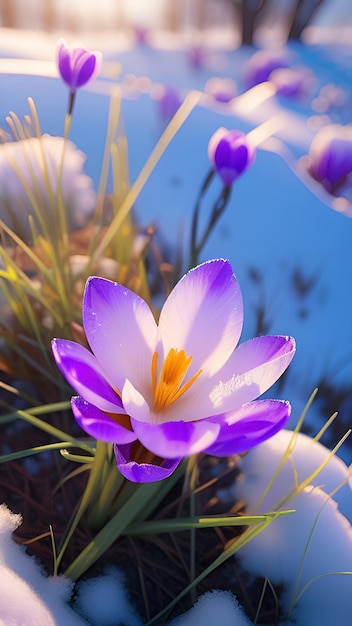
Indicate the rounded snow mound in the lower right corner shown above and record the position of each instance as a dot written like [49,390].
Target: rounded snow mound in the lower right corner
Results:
[315,541]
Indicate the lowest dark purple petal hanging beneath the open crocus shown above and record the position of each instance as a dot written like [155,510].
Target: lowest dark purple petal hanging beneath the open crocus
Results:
[142,472]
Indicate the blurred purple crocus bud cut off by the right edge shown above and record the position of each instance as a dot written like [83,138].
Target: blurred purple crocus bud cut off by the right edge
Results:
[330,157]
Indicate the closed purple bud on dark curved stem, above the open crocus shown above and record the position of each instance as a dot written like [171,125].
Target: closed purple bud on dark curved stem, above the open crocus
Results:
[230,153]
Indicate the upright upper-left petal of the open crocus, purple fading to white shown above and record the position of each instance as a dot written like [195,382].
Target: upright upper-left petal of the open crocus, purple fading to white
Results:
[121,331]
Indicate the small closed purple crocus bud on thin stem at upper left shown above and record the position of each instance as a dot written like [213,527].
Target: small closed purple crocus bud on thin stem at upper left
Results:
[76,66]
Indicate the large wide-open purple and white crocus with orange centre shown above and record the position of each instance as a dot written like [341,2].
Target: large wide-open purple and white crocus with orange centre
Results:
[161,392]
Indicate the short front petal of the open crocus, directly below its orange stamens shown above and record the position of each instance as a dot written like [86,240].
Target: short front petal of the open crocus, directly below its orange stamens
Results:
[176,439]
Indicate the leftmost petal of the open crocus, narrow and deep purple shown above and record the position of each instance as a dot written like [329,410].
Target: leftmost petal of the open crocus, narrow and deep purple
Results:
[85,375]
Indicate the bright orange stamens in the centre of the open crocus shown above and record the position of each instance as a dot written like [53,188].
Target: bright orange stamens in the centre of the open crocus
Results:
[169,387]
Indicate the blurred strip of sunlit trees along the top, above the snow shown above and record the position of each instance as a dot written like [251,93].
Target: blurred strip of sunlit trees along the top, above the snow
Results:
[246,19]
